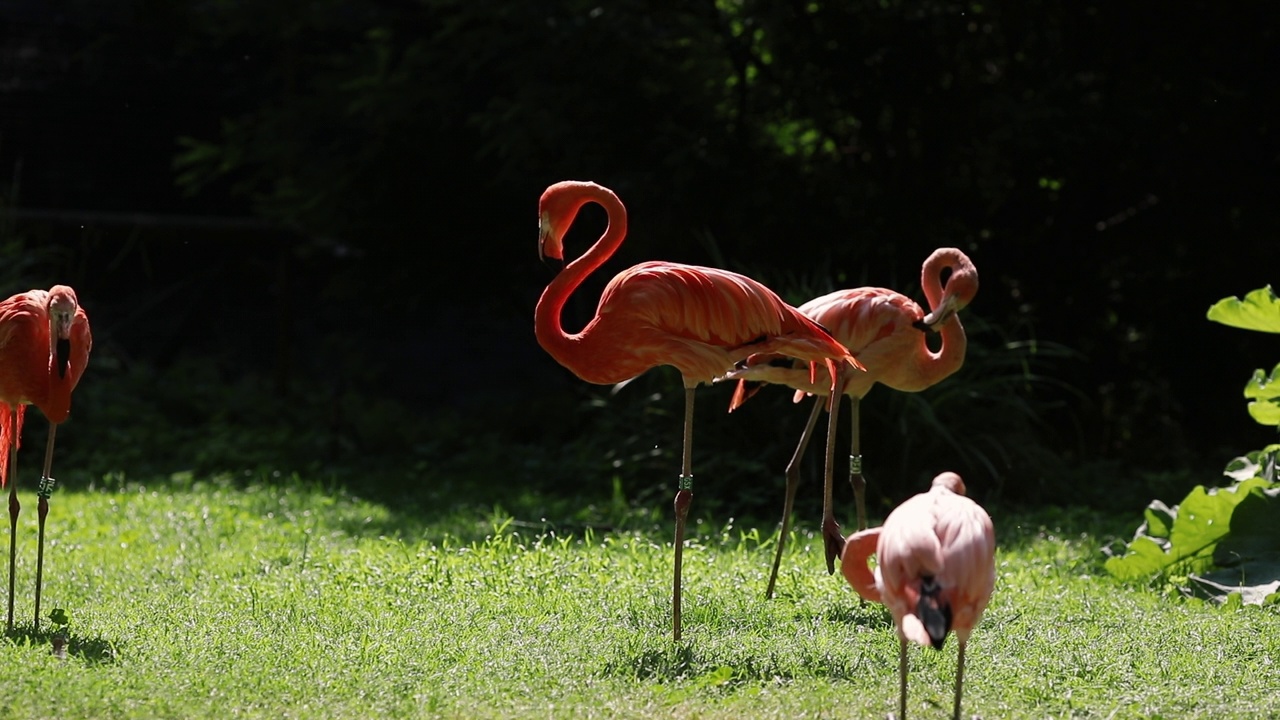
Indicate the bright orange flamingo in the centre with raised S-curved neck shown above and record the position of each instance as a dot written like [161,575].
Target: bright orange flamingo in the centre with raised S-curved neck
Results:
[702,321]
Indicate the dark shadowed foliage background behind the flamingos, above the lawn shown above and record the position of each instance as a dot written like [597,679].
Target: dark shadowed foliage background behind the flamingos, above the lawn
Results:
[305,231]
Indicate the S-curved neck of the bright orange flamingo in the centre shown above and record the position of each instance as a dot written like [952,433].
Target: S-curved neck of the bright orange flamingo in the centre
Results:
[547,316]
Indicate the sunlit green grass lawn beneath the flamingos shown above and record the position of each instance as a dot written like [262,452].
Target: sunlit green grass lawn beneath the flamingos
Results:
[208,600]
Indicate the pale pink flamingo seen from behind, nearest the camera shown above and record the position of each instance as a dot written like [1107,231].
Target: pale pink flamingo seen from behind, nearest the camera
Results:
[936,569]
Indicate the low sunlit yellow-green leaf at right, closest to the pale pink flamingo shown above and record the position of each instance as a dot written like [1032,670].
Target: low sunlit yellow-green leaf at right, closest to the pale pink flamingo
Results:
[1200,523]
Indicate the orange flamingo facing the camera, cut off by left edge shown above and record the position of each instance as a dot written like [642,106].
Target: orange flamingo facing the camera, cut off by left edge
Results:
[44,348]
